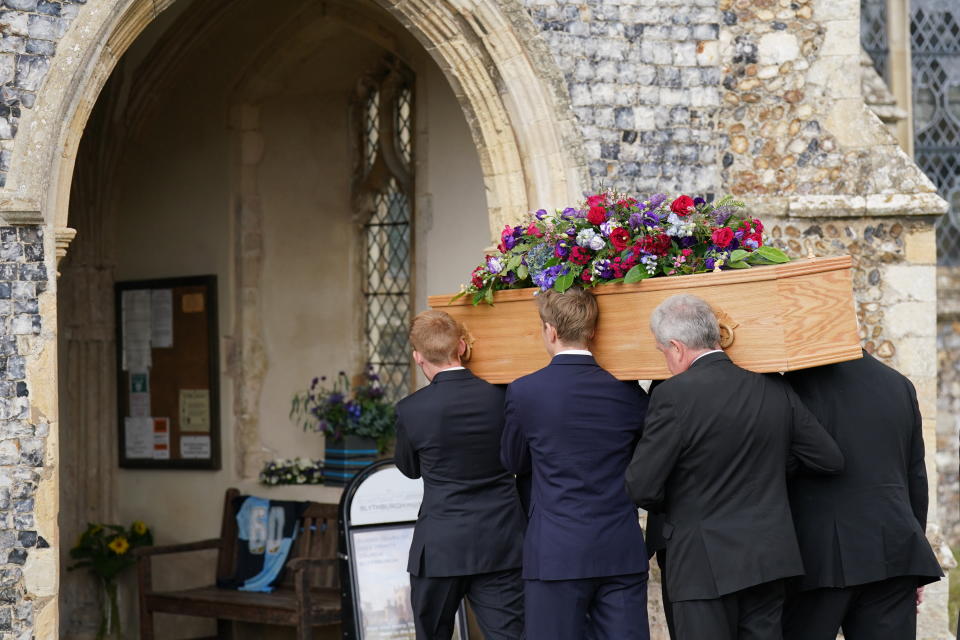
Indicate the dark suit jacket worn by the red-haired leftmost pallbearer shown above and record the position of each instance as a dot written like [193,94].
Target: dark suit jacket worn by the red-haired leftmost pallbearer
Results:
[470,519]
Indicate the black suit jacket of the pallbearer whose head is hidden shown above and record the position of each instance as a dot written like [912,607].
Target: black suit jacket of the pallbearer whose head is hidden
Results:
[867,524]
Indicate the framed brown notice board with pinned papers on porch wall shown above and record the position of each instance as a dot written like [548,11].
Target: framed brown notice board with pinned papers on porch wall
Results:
[168,394]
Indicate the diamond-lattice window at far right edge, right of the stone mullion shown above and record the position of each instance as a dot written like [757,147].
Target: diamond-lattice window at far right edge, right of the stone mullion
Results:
[935,48]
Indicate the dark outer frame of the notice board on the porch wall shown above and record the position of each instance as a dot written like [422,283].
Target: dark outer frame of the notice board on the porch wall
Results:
[209,282]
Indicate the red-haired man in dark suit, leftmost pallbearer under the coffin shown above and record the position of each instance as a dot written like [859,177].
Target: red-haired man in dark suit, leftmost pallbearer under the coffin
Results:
[469,534]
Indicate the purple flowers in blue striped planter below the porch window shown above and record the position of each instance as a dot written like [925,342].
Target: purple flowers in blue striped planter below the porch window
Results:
[356,420]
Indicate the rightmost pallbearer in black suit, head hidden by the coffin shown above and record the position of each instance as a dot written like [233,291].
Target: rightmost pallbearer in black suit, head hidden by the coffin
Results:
[862,534]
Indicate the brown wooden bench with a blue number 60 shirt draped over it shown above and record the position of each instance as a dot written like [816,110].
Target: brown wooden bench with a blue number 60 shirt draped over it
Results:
[309,595]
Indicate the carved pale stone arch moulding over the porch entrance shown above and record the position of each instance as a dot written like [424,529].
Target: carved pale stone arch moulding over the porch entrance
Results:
[501,73]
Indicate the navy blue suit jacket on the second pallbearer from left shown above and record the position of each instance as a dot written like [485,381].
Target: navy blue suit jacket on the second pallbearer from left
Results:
[573,426]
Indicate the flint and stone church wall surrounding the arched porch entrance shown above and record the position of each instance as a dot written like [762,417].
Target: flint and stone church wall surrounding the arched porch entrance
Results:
[750,96]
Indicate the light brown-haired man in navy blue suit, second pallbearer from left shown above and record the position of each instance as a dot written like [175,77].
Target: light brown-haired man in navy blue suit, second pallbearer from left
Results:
[573,426]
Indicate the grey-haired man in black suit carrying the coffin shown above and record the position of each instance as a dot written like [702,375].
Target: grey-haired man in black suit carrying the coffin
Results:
[713,460]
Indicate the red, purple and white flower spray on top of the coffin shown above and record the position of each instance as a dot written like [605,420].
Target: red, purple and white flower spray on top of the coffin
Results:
[619,238]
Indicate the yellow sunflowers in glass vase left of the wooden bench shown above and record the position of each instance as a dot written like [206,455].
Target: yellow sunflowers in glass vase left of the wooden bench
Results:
[105,549]
